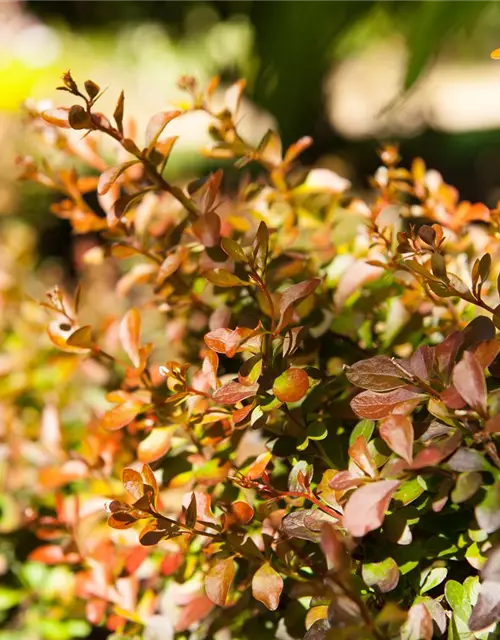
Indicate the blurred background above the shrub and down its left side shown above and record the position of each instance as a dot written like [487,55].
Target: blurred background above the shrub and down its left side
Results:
[351,73]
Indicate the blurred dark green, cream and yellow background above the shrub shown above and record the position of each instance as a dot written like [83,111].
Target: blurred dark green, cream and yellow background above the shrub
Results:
[351,73]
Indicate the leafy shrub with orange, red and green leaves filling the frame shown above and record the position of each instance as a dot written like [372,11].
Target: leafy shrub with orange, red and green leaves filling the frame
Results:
[302,390]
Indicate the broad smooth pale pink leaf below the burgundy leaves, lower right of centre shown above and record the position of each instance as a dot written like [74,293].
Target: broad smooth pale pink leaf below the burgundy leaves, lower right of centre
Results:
[365,509]
